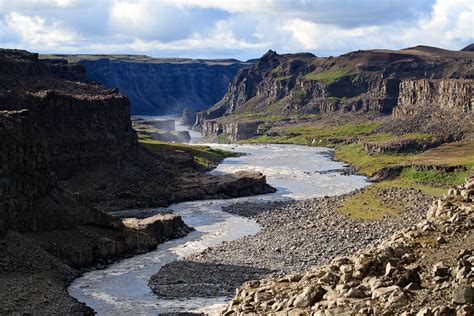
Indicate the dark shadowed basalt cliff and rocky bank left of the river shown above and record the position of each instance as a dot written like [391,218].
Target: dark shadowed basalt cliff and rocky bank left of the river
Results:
[69,154]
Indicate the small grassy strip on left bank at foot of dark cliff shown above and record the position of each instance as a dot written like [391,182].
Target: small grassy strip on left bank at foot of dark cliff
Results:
[205,156]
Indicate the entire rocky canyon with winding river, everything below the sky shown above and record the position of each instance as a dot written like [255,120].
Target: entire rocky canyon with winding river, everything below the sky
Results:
[81,186]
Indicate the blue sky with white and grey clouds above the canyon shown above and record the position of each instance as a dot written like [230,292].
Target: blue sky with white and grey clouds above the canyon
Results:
[241,29]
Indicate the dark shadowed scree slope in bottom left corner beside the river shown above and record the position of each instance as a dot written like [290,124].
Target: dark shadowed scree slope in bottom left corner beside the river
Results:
[34,281]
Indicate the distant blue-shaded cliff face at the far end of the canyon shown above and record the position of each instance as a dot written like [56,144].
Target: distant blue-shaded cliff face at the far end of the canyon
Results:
[159,86]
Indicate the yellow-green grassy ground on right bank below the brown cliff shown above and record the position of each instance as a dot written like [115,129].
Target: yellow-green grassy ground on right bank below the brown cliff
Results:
[367,204]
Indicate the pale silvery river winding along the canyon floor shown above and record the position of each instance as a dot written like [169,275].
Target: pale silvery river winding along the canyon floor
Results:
[297,172]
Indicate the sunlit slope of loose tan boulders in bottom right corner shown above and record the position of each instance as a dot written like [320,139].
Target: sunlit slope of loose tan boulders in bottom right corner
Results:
[424,269]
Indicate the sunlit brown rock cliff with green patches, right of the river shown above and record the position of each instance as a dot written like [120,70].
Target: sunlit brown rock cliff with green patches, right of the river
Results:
[414,82]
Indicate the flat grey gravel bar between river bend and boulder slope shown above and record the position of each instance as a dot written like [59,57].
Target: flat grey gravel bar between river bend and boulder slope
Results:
[295,236]
